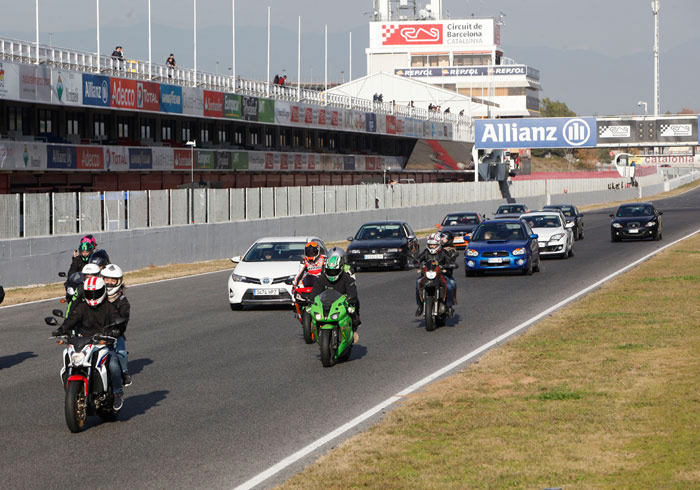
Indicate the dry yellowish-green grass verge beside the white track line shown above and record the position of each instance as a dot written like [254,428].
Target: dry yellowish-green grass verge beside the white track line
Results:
[603,394]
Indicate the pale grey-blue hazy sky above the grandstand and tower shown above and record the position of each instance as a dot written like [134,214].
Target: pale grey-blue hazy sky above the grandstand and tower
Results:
[616,31]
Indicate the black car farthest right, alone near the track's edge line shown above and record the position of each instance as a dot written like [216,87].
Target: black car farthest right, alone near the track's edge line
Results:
[636,220]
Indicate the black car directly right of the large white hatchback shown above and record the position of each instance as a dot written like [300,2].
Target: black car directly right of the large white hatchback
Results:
[382,244]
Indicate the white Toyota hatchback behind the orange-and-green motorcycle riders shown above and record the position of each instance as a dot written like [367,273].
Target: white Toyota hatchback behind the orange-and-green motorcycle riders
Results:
[265,272]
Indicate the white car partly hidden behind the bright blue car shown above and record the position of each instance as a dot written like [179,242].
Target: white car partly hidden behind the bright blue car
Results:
[555,236]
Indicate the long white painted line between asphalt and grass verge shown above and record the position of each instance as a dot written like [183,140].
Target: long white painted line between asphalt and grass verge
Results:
[258,479]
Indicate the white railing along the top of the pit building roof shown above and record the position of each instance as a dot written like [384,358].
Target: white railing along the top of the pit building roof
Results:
[83,61]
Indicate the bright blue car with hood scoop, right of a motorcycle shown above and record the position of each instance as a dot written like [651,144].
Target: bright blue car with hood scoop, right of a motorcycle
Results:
[502,245]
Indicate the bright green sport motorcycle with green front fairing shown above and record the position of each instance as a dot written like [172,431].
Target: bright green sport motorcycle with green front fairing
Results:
[332,325]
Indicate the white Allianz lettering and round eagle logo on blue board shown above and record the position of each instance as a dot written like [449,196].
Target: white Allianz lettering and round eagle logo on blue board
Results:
[575,132]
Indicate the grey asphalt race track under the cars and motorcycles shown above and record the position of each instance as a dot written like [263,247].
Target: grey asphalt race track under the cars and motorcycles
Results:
[220,396]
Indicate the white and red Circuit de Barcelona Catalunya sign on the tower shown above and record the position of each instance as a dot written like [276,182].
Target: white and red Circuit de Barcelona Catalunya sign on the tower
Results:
[454,33]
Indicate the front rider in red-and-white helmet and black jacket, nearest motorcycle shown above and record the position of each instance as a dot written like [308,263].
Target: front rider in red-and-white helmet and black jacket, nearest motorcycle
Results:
[96,316]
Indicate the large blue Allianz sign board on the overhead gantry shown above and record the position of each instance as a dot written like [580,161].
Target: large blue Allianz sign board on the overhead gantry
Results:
[555,132]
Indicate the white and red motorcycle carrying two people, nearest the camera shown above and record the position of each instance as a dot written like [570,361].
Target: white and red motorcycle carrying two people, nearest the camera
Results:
[85,376]
